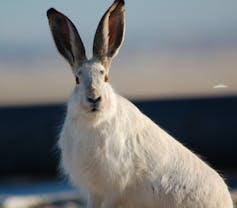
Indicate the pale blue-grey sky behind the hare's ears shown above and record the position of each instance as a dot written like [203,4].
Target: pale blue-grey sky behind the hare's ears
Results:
[154,23]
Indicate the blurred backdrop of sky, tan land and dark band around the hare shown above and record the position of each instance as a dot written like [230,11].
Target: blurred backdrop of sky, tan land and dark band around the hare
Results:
[178,64]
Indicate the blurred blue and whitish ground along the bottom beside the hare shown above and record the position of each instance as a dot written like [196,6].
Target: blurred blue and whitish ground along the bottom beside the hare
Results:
[53,193]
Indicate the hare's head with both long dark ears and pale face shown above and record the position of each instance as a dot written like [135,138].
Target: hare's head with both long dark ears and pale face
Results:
[92,91]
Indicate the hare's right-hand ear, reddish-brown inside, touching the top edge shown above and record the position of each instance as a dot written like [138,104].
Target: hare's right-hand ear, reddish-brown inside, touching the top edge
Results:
[110,33]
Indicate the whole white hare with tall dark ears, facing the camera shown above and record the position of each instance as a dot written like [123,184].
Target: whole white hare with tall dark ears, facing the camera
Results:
[112,150]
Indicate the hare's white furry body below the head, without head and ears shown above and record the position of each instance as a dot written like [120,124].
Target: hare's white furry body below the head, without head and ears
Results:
[125,158]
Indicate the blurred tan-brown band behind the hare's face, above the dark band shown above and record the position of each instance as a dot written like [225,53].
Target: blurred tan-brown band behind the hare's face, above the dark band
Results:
[158,74]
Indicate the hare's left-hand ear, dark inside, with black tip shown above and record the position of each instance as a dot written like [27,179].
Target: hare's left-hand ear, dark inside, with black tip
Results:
[66,38]
